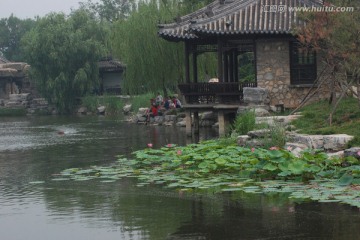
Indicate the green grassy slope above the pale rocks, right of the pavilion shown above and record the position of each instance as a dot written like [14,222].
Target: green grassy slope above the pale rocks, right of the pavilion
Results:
[346,119]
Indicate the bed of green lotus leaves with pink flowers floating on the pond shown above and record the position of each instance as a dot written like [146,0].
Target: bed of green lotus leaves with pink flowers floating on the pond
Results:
[223,168]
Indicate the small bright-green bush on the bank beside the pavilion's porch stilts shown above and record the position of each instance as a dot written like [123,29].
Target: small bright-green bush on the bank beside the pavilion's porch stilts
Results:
[244,123]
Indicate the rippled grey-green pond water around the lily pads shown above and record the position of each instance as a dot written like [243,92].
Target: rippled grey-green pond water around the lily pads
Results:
[34,207]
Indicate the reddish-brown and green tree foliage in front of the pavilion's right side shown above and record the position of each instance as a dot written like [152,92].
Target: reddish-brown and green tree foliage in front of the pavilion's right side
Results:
[336,37]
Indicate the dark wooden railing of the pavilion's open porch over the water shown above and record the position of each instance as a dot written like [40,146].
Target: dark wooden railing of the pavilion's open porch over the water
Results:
[207,93]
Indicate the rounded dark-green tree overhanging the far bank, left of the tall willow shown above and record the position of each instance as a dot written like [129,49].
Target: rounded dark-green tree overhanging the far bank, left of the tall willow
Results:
[63,54]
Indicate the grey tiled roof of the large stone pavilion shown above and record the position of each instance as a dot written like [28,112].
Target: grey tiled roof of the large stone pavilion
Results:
[238,17]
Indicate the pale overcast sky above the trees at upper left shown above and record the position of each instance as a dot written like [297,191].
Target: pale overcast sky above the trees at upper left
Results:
[31,8]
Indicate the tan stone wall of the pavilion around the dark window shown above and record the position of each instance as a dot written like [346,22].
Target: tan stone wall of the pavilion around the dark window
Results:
[273,73]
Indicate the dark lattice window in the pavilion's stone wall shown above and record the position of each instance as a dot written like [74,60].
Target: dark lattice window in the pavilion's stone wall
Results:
[302,64]
